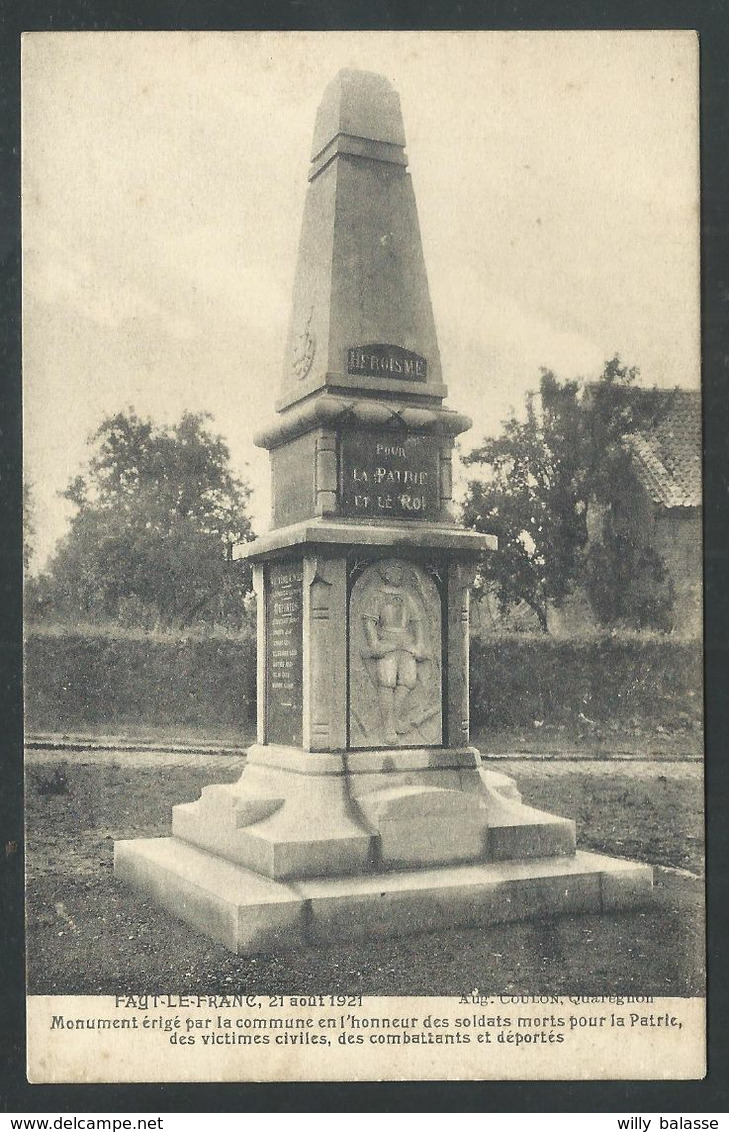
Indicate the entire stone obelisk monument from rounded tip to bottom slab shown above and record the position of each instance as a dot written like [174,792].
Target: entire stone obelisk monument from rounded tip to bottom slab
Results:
[364,810]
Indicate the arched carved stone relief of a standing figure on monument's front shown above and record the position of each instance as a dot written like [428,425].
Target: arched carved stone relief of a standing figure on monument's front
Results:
[396,657]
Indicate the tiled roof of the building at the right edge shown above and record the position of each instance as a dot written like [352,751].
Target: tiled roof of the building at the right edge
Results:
[667,452]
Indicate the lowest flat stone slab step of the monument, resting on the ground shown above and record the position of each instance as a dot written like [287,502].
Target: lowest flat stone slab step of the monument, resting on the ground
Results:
[251,914]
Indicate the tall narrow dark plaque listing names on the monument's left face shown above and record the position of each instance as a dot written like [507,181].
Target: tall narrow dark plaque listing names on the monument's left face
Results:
[285,647]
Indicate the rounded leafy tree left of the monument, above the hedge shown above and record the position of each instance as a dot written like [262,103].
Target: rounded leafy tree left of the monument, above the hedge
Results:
[158,513]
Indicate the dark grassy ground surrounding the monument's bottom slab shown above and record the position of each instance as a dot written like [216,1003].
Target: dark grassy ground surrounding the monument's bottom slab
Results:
[89,936]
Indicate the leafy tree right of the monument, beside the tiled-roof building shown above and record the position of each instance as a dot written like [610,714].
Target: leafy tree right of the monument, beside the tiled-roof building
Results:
[543,477]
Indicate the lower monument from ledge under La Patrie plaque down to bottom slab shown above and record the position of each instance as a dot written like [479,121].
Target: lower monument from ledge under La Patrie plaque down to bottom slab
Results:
[324,841]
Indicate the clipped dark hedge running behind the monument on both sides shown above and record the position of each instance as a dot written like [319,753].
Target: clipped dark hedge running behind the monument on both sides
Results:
[76,681]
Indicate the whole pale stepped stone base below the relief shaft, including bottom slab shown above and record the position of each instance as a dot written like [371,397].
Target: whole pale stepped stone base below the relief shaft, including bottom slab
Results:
[314,850]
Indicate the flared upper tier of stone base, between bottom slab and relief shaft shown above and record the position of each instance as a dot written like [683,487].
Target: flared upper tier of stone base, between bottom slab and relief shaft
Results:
[295,814]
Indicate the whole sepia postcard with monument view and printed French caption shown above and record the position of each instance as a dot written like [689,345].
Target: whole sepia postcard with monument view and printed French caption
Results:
[363,528]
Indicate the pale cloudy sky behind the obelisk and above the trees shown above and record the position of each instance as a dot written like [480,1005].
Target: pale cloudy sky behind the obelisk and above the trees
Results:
[165,176]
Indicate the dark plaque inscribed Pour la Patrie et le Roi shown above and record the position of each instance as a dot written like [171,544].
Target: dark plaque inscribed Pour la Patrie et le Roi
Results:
[390,476]
